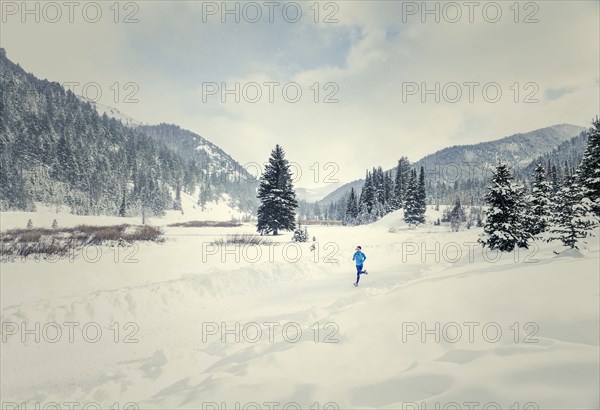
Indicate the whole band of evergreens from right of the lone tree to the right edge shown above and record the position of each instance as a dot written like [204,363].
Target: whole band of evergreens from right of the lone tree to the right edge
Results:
[550,199]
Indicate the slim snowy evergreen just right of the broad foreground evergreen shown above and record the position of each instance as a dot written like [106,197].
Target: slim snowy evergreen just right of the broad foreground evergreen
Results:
[540,204]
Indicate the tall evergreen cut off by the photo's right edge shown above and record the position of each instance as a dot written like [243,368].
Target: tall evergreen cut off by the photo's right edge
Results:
[589,169]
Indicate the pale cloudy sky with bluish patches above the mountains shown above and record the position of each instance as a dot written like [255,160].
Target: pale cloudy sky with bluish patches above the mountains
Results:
[369,72]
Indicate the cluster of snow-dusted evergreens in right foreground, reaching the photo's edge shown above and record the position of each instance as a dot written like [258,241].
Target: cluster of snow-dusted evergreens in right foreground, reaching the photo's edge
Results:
[564,210]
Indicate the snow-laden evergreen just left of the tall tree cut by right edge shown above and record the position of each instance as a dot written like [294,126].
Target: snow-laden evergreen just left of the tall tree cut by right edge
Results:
[573,214]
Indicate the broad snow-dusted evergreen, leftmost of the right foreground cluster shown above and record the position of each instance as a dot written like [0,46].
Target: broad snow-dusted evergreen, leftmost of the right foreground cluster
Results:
[505,225]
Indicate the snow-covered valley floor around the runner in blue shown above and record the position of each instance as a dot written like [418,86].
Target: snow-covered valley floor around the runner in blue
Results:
[185,324]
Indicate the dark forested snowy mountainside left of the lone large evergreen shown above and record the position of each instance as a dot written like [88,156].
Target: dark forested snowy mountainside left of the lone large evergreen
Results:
[57,149]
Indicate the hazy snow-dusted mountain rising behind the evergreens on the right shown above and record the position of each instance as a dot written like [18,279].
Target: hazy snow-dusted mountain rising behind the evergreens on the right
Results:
[461,168]
